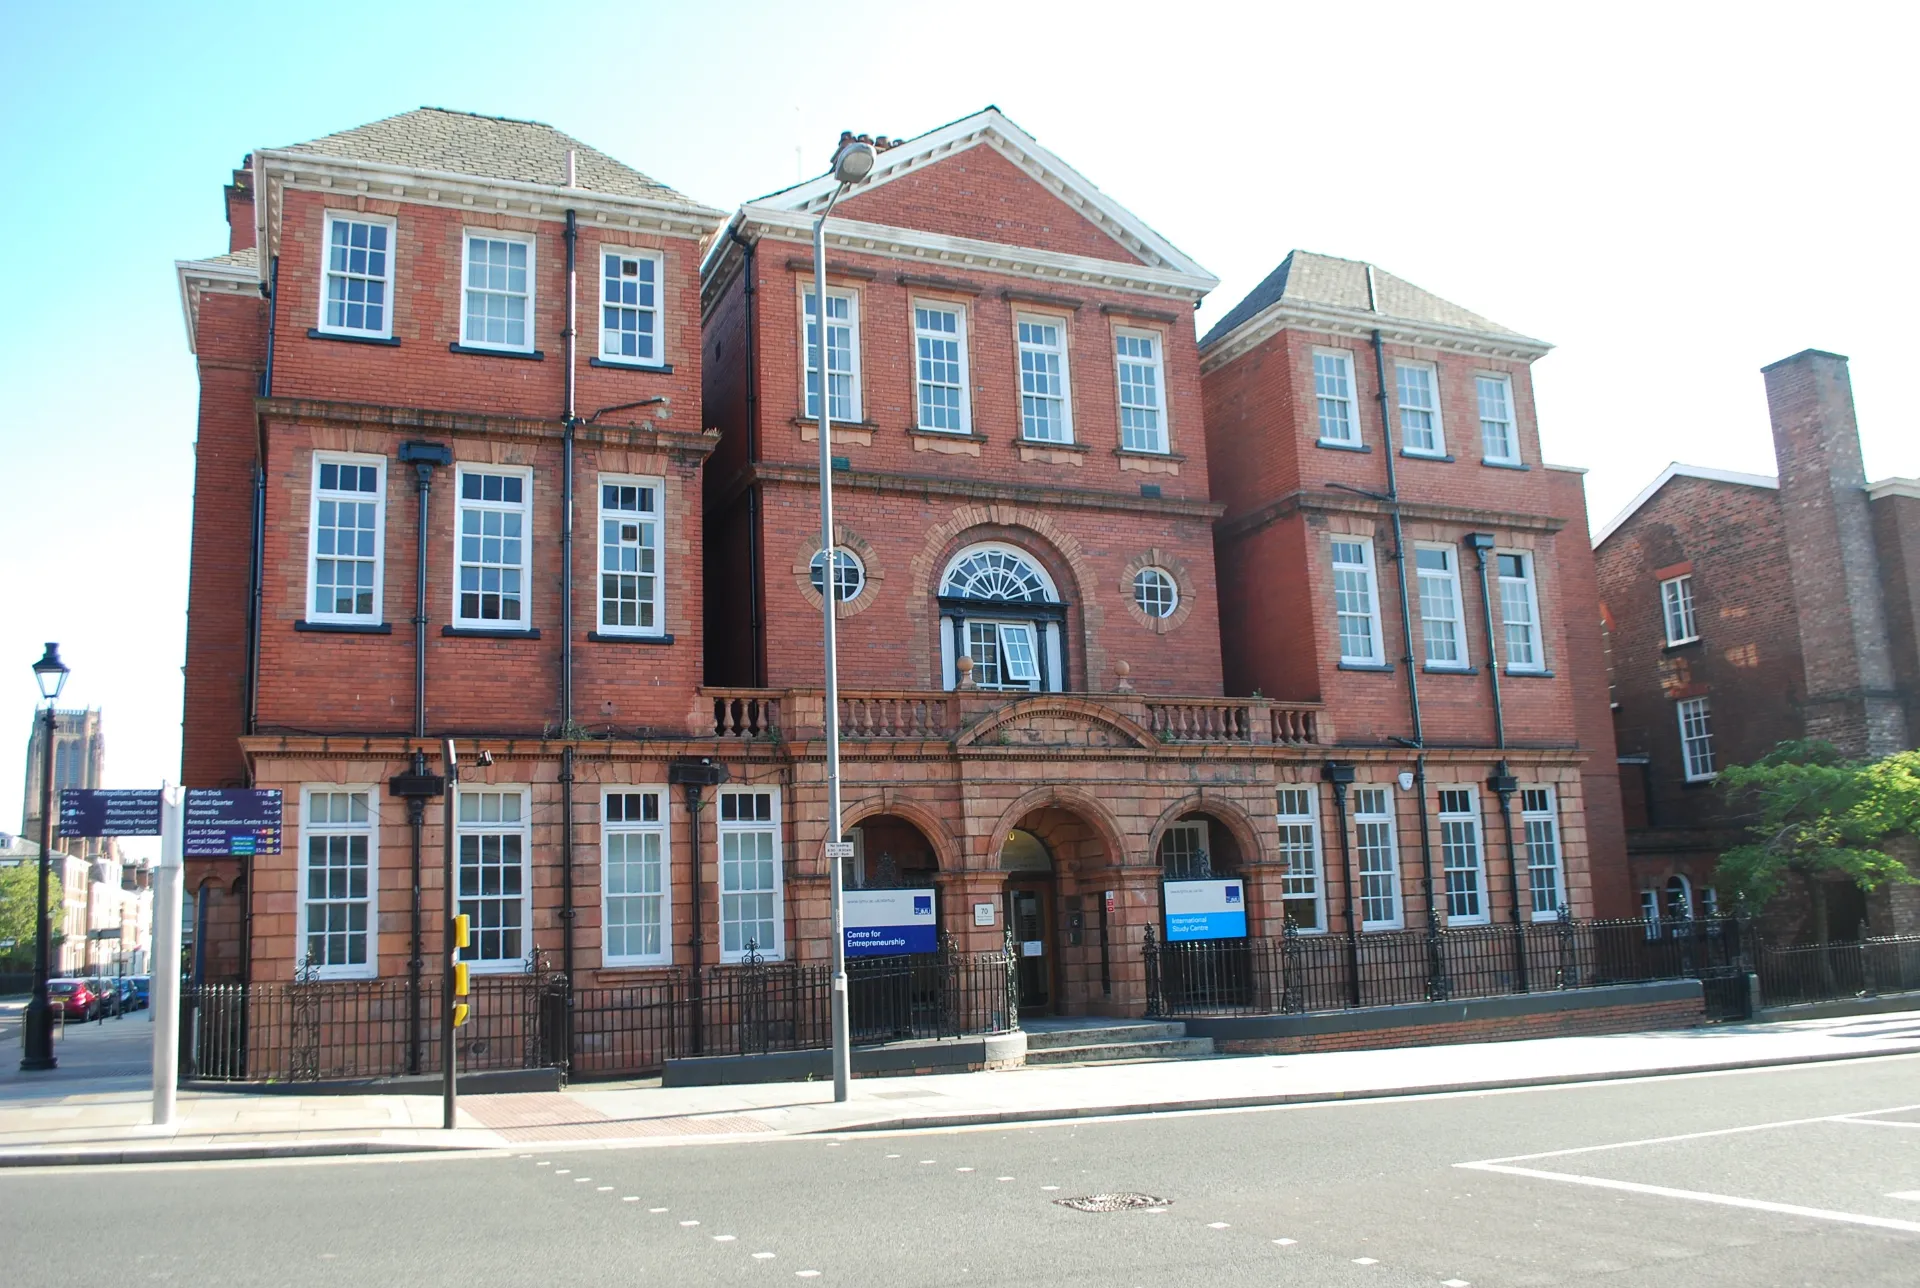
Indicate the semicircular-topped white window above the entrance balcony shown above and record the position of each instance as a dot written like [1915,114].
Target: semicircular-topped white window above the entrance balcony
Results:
[1001,609]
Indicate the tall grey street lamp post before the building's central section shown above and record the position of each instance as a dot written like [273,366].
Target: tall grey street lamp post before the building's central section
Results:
[852,164]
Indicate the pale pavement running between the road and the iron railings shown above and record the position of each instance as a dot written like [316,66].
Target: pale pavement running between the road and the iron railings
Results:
[76,1116]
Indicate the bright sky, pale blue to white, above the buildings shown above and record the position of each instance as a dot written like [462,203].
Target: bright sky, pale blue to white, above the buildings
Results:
[1671,195]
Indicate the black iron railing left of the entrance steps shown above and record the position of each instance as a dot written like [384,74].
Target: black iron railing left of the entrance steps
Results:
[358,1030]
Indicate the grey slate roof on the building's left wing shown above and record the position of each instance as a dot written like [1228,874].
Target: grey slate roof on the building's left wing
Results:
[464,143]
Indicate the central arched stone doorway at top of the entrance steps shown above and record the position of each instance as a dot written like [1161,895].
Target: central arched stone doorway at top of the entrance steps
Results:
[1059,871]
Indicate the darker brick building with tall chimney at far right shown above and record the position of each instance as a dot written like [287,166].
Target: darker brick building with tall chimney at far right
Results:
[1744,611]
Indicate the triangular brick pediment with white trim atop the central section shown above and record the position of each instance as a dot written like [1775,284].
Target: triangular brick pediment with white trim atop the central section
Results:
[1024,197]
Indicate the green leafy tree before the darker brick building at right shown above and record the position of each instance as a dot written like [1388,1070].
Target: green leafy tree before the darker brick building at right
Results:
[1819,817]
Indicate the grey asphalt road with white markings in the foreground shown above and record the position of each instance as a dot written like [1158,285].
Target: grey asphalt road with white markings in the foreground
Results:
[1806,1176]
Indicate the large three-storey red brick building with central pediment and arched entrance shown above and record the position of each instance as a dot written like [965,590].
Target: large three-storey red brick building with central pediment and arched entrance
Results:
[1044,538]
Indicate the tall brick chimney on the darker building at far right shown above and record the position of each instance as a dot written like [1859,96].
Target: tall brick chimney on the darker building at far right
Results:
[1831,552]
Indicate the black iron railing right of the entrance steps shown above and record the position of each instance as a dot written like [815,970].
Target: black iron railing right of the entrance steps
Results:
[1299,974]
